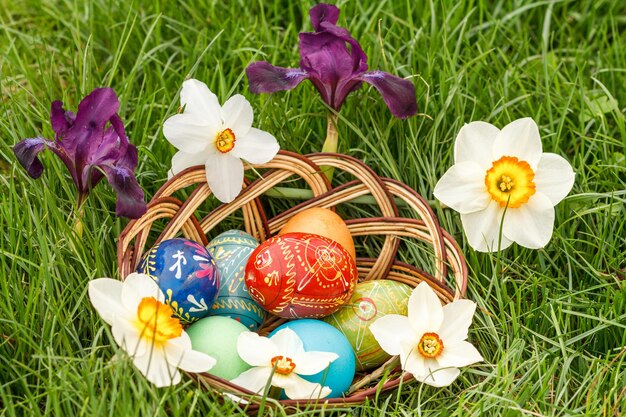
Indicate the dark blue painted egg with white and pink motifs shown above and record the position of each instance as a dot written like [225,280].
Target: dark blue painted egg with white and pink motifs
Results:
[187,275]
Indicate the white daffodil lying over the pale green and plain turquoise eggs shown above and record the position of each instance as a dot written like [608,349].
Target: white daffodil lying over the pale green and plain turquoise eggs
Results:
[283,358]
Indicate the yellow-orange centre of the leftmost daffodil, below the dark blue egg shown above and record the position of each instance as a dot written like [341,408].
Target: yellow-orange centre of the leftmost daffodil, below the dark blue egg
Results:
[155,321]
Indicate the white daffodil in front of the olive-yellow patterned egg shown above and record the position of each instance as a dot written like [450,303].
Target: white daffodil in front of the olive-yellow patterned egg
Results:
[431,341]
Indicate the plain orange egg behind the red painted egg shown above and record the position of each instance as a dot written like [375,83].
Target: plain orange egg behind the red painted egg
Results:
[323,222]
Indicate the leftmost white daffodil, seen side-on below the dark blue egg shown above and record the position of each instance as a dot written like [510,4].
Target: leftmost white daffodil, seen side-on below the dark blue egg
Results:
[142,325]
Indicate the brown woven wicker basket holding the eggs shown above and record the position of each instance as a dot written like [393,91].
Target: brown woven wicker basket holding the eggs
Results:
[448,263]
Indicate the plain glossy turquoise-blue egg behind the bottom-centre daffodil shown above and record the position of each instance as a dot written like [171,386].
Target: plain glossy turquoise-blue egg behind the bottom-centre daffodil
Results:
[320,336]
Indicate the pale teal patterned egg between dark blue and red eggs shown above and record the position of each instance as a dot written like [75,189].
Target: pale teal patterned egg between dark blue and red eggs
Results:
[231,251]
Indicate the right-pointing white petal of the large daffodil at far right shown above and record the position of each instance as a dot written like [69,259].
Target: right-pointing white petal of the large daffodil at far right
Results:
[554,177]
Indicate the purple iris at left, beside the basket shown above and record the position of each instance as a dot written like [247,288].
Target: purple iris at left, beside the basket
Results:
[92,144]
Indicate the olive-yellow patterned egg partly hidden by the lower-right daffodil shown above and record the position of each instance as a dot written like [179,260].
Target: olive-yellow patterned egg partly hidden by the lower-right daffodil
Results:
[370,301]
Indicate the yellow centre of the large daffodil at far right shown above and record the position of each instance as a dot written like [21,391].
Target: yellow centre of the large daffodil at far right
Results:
[510,181]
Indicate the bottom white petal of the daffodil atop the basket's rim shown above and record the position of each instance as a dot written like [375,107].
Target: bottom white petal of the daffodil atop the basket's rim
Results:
[224,173]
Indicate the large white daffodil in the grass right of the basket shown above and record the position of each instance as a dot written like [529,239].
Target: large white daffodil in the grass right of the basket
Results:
[503,169]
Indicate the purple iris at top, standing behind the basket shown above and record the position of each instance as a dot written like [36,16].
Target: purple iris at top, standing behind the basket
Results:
[336,65]
